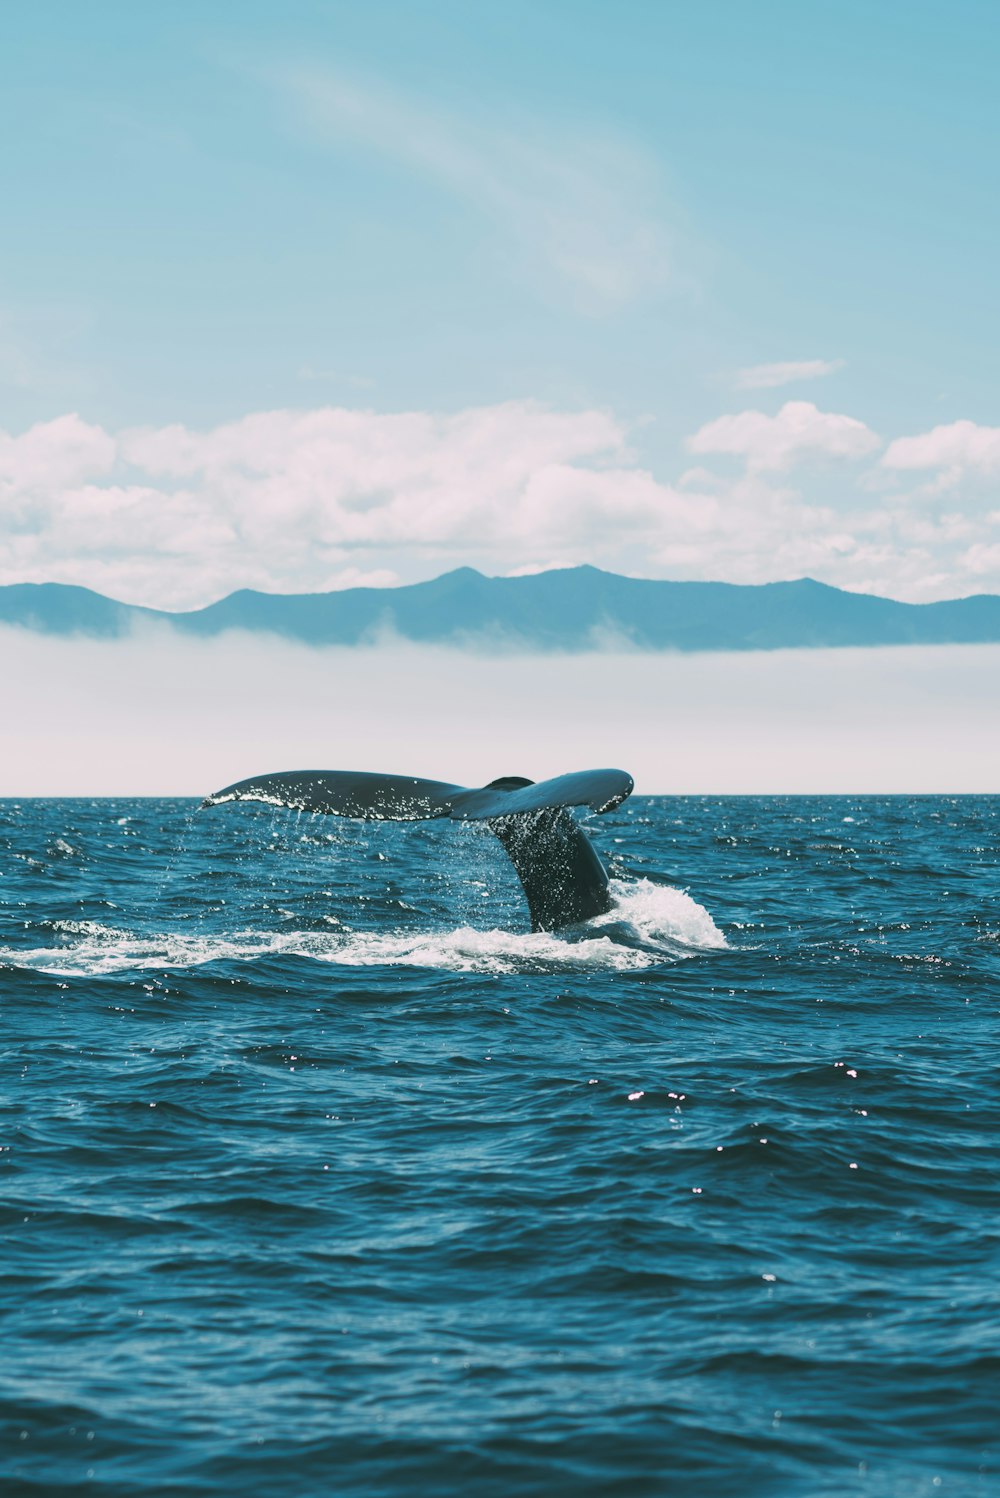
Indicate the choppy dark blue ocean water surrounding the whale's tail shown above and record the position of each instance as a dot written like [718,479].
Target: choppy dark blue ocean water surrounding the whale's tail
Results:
[320,1175]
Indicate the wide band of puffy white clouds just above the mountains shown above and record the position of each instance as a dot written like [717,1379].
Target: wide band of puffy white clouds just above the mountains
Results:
[293,501]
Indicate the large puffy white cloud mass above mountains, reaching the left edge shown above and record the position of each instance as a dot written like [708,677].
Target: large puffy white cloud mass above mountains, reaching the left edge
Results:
[315,500]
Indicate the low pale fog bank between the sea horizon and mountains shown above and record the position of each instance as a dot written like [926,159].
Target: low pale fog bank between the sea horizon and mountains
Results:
[162,715]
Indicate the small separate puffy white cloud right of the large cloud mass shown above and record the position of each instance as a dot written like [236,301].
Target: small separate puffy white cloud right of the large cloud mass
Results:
[776,443]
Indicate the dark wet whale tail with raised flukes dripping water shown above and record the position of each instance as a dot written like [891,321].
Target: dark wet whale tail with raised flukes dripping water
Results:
[564,880]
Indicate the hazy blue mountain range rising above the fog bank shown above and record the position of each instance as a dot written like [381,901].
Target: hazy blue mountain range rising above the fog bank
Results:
[574,609]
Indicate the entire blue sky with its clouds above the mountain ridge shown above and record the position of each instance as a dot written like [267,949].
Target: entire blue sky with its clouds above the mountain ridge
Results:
[305,294]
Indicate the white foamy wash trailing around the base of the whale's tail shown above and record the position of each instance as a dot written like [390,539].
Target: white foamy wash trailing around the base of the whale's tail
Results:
[647,925]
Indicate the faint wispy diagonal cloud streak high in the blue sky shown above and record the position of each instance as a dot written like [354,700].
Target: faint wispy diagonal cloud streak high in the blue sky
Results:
[580,206]
